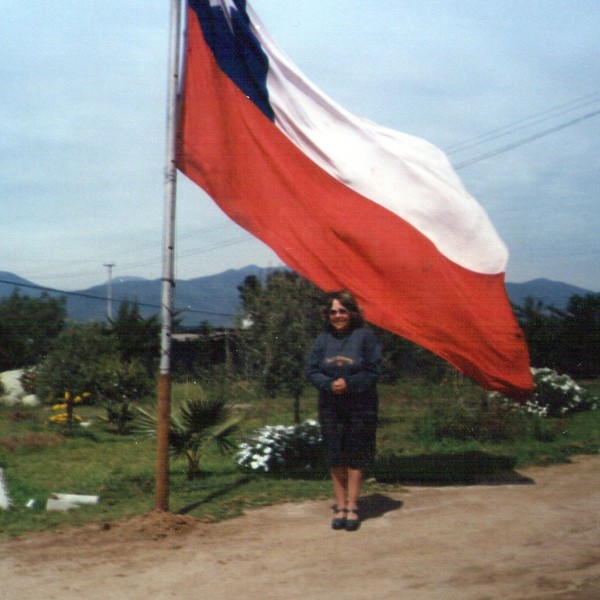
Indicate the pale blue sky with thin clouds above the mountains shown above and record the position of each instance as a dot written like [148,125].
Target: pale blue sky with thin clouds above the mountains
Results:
[510,89]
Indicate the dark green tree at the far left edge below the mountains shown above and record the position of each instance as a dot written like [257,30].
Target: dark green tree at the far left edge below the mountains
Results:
[27,328]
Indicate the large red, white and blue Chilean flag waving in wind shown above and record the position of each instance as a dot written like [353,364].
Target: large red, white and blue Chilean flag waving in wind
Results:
[343,201]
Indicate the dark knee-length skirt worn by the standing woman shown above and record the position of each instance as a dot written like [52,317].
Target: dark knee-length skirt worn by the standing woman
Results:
[349,429]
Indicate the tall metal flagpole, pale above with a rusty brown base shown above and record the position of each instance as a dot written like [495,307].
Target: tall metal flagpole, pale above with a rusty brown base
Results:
[168,273]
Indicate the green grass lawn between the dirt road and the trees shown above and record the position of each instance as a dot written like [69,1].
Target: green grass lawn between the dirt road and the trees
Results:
[121,469]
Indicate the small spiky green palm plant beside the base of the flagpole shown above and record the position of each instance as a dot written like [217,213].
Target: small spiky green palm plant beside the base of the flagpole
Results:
[195,426]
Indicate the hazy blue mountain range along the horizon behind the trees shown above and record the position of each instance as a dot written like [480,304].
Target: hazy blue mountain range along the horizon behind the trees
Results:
[215,298]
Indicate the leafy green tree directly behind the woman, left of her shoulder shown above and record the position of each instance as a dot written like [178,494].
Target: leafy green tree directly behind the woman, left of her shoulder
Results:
[285,317]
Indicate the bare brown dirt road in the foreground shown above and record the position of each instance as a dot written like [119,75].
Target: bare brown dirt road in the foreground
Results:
[529,541]
